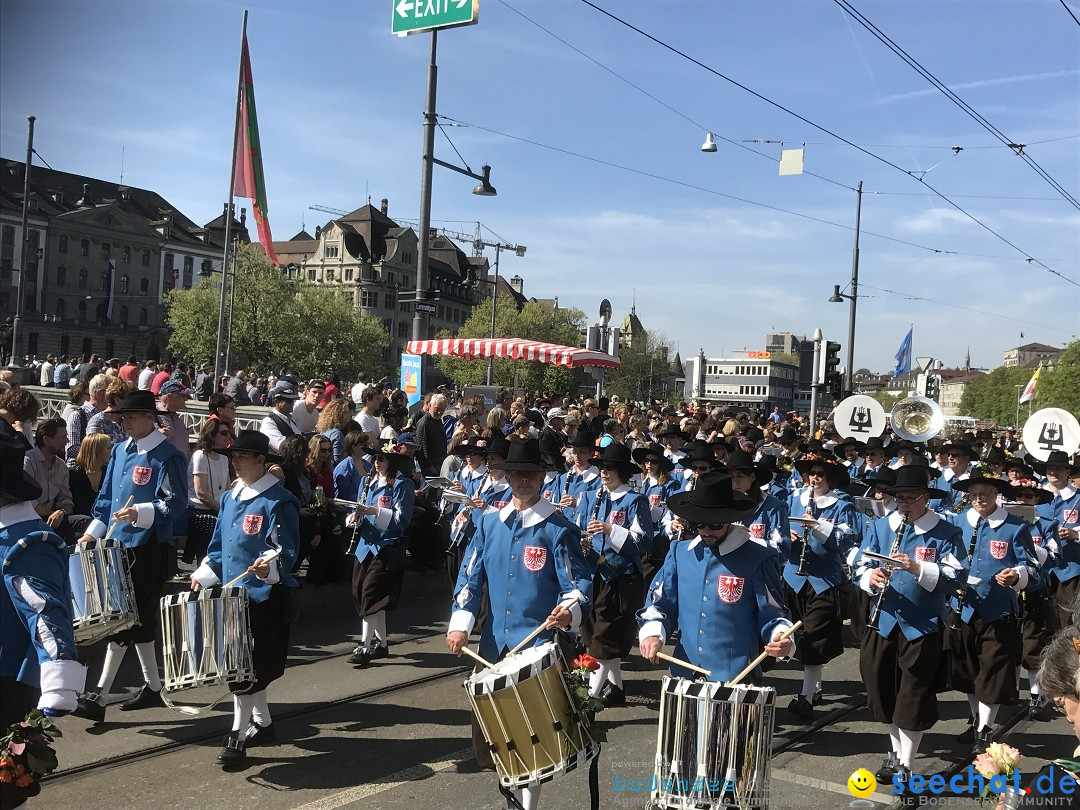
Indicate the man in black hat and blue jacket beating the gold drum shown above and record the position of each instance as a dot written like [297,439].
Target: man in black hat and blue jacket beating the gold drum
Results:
[531,559]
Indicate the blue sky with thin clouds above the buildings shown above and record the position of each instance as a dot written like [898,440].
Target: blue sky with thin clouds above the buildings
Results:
[341,103]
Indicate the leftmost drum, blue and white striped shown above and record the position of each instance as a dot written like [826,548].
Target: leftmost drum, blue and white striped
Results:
[103,599]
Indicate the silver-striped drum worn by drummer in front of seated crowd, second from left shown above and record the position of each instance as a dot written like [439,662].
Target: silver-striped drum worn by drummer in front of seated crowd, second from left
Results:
[207,642]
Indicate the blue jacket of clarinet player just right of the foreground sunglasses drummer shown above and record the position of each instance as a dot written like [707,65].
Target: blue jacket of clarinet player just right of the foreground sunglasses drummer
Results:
[838,531]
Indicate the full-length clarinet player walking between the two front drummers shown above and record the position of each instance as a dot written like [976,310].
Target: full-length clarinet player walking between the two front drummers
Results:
[618,526]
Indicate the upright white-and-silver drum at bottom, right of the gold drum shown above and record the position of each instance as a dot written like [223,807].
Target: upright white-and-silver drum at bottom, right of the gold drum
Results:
[713,747]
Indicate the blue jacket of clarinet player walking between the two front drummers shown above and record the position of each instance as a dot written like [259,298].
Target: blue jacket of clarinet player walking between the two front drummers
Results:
[624,551]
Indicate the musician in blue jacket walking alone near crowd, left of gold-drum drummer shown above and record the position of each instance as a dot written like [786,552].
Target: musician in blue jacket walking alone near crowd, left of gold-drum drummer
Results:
[379,571]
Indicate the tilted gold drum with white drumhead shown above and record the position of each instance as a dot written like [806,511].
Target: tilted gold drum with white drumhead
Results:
[533,727]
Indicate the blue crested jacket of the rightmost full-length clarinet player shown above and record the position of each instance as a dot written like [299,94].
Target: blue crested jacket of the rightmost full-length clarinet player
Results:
[1004,543]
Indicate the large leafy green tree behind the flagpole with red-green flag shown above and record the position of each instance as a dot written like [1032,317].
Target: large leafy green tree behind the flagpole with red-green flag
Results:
[277,323]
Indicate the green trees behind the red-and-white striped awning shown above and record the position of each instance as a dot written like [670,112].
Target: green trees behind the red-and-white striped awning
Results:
[537,321]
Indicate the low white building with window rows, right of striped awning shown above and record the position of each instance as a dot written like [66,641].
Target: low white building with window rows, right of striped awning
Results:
[741,381]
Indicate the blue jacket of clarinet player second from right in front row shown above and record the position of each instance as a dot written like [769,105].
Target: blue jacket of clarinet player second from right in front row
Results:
[915,603]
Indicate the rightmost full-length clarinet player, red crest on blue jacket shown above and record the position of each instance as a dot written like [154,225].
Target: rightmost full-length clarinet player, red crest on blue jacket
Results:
[984,638]
